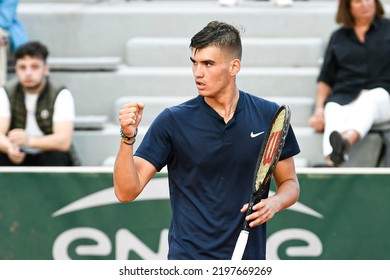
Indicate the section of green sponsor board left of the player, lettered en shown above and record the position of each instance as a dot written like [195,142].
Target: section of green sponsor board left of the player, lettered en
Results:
[75,215]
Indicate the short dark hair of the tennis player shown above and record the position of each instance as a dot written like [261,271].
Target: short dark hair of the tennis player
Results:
[218,34]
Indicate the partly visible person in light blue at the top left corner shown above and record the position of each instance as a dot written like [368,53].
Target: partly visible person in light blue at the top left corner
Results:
[12,34]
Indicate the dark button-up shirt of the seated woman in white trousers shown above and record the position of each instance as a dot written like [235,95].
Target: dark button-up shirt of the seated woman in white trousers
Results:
[351,66]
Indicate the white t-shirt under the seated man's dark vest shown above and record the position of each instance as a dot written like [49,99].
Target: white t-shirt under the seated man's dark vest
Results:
[64,110]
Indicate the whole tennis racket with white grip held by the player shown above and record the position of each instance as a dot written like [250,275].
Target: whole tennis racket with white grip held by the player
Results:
[269,155]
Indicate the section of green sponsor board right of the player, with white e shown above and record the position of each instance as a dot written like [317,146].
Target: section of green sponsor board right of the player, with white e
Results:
[353,223]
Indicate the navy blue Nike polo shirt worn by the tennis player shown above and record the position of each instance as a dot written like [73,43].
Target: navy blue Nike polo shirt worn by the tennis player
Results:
[211,166]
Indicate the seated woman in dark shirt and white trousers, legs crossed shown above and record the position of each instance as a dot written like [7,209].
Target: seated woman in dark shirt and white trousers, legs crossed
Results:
[354,83]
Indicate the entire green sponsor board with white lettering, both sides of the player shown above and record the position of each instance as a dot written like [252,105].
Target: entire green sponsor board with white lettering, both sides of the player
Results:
[62,213]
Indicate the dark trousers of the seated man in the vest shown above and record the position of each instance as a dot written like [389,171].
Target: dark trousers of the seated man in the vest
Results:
[52,158]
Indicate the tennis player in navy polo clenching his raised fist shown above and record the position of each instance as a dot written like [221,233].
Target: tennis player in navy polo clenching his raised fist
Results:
[210,145]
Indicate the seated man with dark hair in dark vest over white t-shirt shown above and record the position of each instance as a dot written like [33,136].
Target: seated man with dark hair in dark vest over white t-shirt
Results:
[36,116]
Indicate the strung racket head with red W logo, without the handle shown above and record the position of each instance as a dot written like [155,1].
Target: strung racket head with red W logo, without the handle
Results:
[271,150]
